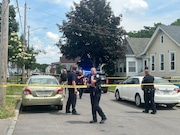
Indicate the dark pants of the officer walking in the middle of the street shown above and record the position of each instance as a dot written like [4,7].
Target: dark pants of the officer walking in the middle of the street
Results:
[95,98]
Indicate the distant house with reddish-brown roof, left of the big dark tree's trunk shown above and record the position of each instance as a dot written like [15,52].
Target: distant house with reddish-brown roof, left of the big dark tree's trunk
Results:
[67,63]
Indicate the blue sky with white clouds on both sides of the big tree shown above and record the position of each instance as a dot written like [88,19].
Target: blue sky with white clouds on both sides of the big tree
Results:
[48,13]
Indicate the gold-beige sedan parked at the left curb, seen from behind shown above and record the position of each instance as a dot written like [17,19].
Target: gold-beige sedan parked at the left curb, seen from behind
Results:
[42,90]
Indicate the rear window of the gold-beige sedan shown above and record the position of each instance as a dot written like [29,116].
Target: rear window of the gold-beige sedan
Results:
[43,81]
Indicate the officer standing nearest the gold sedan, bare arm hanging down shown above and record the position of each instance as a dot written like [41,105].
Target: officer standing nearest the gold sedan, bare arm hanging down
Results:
[72,97]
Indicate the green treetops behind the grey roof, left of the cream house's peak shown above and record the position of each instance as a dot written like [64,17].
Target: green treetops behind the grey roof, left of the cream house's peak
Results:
[147,32]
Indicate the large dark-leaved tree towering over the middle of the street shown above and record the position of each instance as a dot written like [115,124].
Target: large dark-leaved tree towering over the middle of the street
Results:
[92,32]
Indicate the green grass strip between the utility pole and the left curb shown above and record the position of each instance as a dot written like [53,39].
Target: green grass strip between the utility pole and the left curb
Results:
[13,95]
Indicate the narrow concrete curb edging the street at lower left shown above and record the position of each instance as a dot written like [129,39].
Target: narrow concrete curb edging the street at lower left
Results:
[14,121]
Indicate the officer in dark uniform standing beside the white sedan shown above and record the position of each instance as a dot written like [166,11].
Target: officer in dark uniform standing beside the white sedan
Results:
[149,91]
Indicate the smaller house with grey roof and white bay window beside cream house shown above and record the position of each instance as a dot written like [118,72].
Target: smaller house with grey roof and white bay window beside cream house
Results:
[132,63]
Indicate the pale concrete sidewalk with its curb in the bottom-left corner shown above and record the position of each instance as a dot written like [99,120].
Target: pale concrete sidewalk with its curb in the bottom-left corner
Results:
[7,125]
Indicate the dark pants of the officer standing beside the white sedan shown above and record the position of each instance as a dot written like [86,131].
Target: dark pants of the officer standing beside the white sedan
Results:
[149,100]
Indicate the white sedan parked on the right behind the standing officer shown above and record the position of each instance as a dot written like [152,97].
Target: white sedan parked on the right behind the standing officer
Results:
[130,89]
